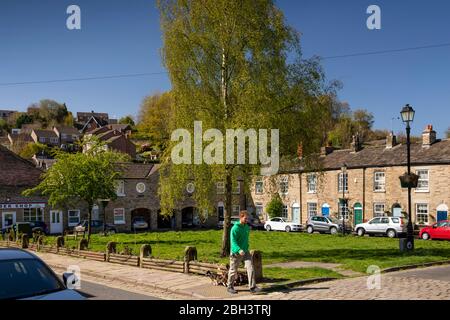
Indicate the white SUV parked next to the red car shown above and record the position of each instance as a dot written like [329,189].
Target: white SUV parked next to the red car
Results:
[389,226]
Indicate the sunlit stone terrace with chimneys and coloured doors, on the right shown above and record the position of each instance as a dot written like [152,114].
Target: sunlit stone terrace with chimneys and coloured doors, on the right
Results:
[370,184]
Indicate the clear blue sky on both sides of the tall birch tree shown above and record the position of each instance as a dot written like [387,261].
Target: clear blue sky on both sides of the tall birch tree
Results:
[123,37]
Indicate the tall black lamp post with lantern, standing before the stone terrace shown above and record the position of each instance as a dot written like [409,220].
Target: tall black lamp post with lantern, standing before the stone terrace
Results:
[407,114]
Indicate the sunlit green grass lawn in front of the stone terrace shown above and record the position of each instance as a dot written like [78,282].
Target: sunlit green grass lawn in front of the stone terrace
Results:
[352,252]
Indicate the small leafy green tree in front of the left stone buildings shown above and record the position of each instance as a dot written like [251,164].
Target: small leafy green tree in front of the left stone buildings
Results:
[88,177]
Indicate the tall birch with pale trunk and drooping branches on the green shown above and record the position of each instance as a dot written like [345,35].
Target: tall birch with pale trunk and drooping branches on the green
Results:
[229,68]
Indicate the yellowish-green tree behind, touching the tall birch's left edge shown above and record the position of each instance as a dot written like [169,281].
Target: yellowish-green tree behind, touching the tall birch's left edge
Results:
[154,118]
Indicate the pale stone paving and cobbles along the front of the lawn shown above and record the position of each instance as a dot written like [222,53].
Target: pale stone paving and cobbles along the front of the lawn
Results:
[424,283]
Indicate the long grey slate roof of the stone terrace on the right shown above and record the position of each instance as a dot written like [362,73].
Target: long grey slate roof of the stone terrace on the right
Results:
[380,156]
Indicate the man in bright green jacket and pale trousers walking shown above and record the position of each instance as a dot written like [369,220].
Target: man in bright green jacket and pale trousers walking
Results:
[239,252]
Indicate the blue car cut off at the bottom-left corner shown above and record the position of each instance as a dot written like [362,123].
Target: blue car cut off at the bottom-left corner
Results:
[24,276]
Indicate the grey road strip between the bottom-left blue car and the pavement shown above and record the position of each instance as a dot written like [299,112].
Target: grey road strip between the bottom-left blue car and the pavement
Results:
[94,291]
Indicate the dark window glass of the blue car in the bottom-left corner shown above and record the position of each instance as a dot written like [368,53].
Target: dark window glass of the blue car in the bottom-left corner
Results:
[26,278]
